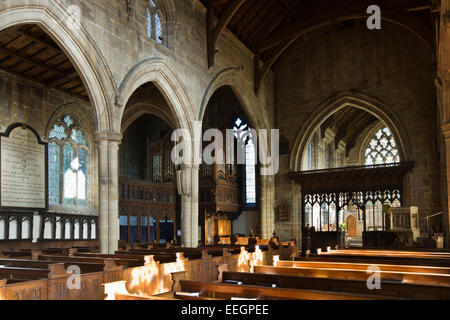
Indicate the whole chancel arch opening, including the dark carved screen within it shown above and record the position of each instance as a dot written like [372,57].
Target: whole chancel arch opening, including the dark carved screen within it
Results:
[353,168]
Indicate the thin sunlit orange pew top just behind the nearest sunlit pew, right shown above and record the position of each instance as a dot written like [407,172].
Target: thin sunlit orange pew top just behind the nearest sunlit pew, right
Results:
[363,266]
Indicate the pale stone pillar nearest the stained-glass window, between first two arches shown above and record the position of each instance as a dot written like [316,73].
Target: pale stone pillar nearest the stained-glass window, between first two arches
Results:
[108,190]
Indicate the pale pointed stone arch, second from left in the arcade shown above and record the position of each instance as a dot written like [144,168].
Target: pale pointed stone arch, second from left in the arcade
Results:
[168,83]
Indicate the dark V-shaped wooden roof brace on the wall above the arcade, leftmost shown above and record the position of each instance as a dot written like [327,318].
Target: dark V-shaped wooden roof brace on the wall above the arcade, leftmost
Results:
[214,32]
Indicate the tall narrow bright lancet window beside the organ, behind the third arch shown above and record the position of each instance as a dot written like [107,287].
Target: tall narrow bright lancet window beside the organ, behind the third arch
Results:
[242,132]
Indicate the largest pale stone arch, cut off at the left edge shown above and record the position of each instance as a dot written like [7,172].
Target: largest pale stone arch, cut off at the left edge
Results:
[76,43]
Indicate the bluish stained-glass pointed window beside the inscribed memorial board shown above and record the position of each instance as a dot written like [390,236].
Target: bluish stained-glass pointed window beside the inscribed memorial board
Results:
[68,158]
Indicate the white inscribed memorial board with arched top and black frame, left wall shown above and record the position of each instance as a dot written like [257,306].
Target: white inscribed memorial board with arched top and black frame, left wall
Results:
[23,169]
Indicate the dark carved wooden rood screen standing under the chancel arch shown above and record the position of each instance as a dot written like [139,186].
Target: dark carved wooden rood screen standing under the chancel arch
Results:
[330,197]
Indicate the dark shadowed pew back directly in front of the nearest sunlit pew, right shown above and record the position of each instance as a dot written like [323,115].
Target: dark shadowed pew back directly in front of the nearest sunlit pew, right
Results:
[407,291]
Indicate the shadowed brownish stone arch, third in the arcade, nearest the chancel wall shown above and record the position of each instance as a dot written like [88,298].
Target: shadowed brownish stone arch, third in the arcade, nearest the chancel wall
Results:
[233,78]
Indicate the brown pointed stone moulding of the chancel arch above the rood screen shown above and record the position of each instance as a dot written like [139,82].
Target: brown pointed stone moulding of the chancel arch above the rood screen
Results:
[357,100]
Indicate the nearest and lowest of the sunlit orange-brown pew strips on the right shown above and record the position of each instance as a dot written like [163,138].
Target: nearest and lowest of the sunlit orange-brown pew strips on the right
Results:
[403,277]
